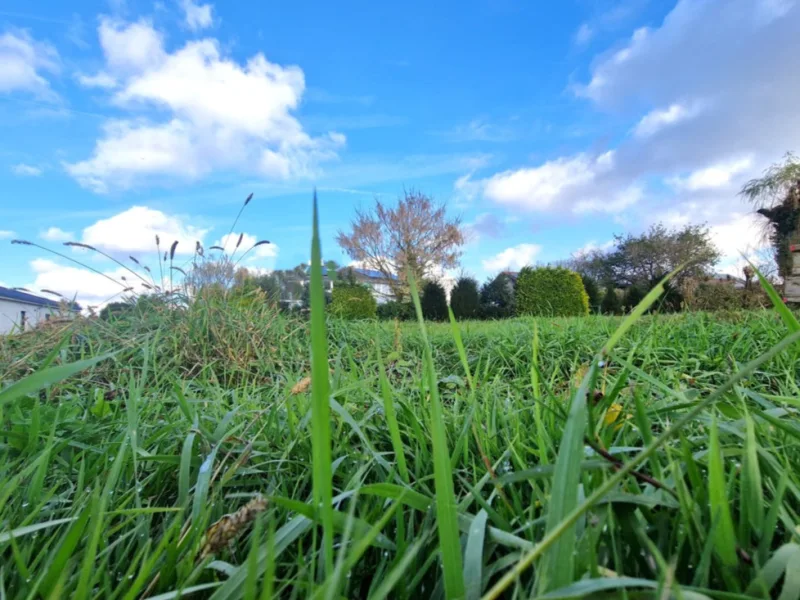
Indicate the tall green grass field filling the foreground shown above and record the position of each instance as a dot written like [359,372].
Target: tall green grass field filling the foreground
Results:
[471,460]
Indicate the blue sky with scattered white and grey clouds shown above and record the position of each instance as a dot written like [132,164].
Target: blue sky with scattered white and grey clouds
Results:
[547,127]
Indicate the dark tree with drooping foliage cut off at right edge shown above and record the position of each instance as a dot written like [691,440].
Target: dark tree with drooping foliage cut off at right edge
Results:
[776,196]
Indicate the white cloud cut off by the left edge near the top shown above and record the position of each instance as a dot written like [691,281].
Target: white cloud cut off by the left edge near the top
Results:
[22,62]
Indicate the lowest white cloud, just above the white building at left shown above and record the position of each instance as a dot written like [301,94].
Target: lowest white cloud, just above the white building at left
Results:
[87,287]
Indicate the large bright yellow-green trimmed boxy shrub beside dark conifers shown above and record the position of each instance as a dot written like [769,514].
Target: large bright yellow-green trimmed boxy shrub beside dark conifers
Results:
[552,291]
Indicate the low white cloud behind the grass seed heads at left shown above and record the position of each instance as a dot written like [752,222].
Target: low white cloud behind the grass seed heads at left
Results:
[135,230]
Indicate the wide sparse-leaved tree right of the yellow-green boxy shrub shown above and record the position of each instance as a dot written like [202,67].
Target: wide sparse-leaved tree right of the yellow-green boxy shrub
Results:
[646,258]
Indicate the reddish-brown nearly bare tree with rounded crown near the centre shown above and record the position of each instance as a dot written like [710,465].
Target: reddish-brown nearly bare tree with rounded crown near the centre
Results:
[416,235]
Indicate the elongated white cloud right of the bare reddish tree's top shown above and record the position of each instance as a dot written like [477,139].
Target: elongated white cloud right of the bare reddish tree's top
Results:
[550,185]
